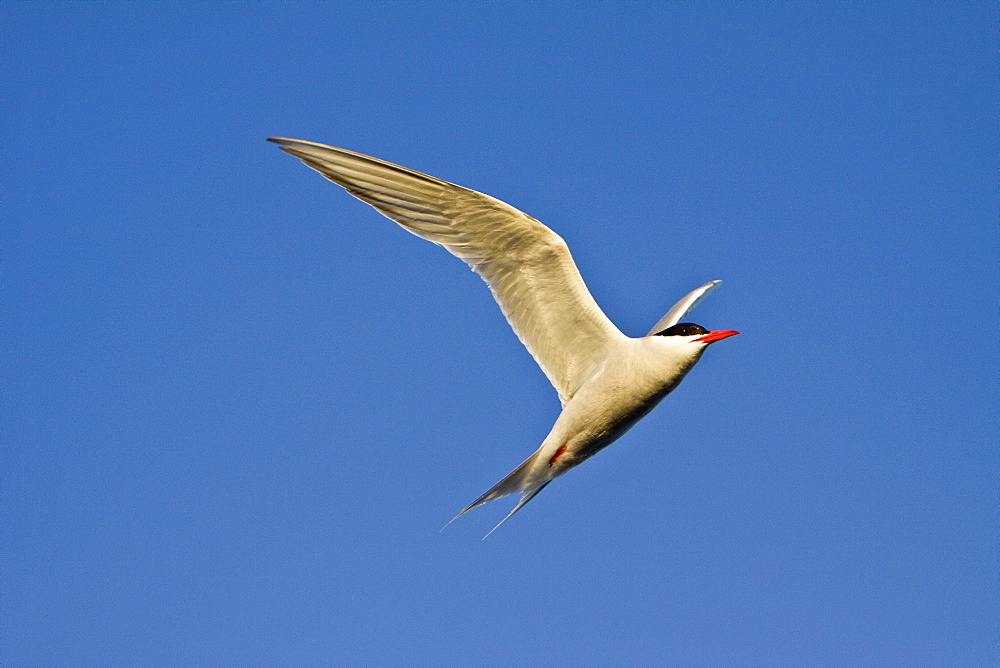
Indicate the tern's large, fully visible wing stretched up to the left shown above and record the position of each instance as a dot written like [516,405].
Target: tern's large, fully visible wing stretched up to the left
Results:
[527,266]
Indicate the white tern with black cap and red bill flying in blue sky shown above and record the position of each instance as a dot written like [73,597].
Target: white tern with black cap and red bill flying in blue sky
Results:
[606,381]
